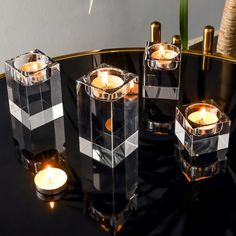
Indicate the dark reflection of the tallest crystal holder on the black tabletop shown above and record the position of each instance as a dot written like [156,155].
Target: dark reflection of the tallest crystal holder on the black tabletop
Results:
[110,193]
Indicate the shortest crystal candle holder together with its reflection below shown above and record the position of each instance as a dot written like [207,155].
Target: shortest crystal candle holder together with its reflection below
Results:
[203,133]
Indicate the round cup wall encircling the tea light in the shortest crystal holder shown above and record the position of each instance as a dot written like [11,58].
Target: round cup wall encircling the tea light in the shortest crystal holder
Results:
[202,129]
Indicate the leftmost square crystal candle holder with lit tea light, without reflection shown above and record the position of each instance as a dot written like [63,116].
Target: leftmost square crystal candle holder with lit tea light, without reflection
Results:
[34,89]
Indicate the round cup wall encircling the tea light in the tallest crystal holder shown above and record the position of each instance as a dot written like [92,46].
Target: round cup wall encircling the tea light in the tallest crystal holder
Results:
[103,93]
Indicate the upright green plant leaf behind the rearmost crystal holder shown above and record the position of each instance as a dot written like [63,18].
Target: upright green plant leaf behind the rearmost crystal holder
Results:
[183,23]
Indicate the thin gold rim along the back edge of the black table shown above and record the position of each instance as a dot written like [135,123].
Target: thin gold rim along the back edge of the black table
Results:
[138,49]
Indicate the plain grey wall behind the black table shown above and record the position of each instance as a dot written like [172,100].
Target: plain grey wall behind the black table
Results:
[63,26]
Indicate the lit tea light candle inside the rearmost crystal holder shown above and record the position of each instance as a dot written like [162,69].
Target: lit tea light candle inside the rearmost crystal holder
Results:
[164,56]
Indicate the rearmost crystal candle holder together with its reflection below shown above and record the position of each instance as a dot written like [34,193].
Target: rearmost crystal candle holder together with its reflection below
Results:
[160,86]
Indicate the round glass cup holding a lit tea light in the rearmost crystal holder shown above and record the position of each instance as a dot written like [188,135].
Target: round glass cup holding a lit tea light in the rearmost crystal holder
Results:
[159,61]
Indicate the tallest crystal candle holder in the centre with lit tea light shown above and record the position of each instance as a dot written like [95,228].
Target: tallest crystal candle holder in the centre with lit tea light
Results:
[107,103]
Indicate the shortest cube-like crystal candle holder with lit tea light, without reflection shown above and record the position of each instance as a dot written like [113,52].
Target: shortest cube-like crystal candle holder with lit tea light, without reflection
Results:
[202,128]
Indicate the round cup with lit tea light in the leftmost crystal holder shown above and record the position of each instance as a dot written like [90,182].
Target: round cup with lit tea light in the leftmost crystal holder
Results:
[33,67]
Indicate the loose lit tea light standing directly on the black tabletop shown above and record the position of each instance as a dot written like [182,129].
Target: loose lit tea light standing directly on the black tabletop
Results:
[50,181]
